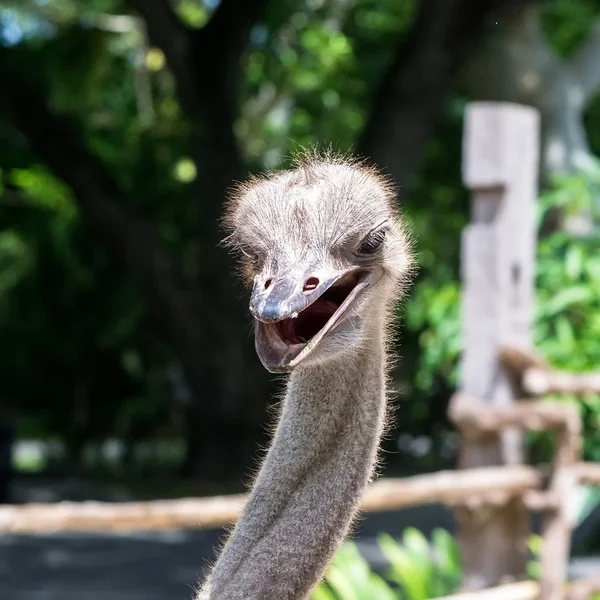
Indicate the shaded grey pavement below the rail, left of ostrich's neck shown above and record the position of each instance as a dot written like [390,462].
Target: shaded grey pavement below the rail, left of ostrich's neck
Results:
[161,566]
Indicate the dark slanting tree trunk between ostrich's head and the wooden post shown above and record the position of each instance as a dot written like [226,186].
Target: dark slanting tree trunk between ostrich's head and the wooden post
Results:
[412,93]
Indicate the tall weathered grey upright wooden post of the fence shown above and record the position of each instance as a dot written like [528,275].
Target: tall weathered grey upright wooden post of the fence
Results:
[500,167]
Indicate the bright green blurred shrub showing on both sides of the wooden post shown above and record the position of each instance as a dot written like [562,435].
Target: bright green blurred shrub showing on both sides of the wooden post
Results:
[567,318]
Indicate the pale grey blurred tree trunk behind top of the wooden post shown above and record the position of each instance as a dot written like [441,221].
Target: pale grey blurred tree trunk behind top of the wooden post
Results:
[518,65]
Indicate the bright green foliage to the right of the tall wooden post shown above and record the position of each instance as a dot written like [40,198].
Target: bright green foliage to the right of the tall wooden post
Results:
[567,329]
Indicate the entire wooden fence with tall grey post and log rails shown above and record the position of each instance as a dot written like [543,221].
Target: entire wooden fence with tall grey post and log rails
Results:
[502,384]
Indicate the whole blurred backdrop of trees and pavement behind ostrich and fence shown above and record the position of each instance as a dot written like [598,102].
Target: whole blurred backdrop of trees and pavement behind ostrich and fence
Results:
[127,367]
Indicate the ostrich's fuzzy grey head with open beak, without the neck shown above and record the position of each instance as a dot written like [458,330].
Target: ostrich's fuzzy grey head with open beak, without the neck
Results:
[324,249]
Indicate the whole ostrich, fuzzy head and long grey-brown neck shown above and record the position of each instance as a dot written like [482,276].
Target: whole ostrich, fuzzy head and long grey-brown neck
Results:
[327,256]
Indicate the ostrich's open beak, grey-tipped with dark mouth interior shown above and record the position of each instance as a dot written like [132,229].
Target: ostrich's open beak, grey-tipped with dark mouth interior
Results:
[294,314]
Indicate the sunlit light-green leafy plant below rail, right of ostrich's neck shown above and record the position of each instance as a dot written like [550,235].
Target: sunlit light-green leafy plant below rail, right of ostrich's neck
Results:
[418,570]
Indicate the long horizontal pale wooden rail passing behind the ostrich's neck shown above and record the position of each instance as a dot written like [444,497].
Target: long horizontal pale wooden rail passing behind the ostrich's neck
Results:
[487,485]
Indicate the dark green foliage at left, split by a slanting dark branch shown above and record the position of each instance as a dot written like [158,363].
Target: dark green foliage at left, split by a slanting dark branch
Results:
[87,361]
